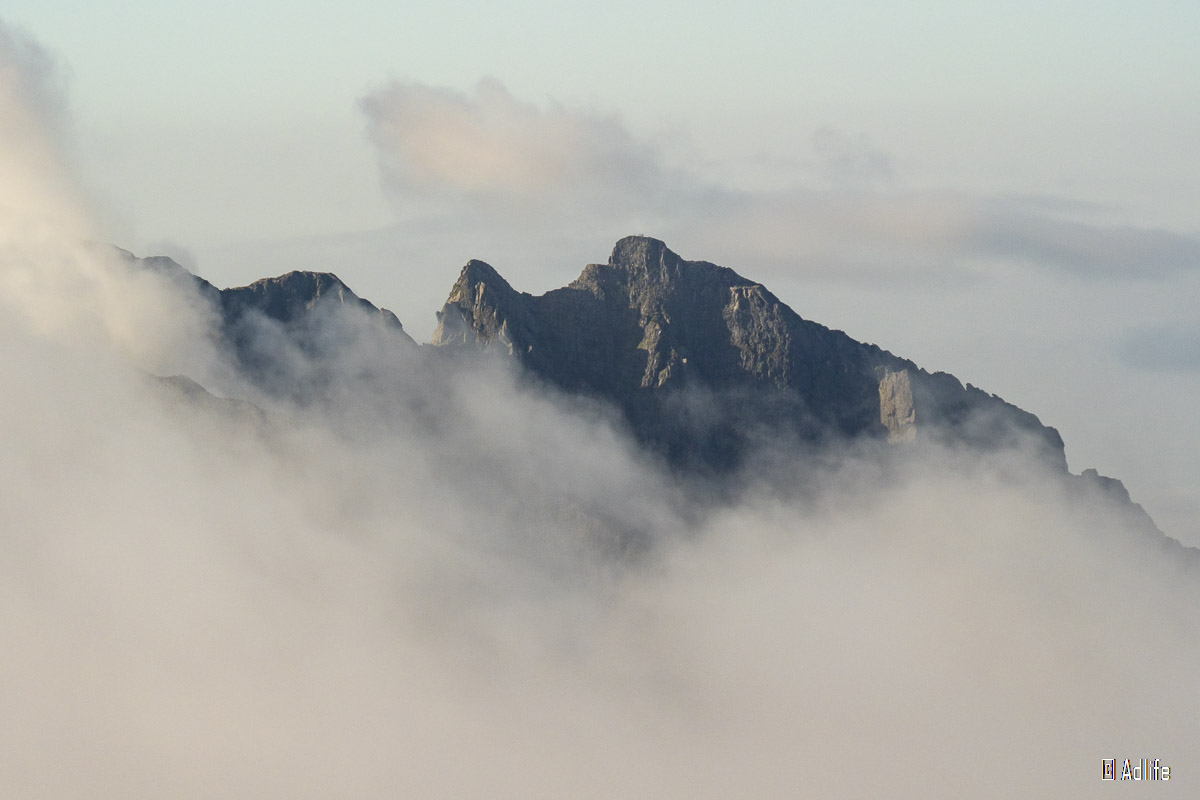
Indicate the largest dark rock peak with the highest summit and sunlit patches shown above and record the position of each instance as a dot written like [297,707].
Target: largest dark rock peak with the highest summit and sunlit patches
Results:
[705,363]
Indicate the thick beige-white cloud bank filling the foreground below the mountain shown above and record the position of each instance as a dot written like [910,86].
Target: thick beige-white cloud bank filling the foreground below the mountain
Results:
[455,585]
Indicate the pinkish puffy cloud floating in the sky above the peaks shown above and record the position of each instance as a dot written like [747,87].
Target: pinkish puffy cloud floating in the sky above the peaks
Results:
[487,149]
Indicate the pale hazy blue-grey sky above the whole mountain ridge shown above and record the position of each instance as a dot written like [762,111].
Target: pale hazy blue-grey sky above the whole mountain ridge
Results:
[1005,191]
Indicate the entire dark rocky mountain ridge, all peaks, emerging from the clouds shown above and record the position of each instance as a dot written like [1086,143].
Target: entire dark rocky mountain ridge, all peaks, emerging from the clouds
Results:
[703,364]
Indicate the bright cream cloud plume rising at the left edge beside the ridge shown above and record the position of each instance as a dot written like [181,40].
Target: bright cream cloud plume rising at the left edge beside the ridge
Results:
[63,286]
